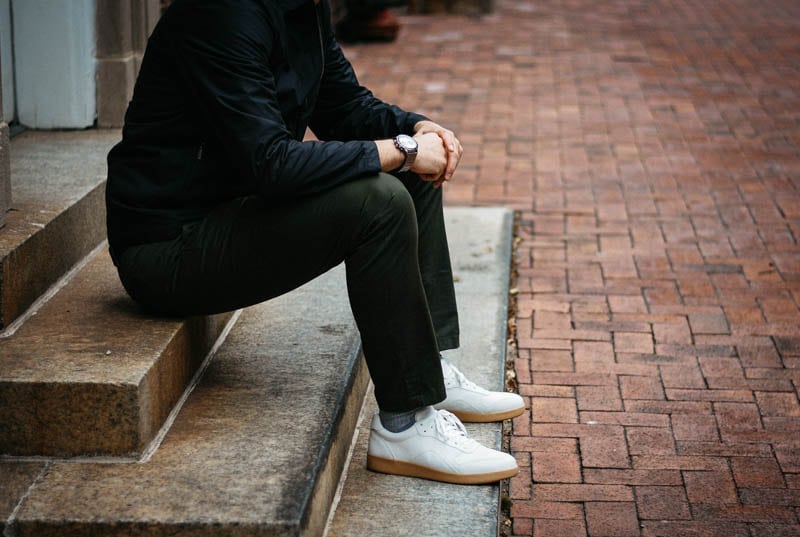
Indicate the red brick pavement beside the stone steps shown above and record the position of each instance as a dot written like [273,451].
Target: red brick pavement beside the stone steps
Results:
[652,149]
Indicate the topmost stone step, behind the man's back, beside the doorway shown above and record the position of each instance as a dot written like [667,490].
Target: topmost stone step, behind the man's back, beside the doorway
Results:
[57,215]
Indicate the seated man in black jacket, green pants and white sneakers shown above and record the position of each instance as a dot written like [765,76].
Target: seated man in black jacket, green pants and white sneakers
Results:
[215,203]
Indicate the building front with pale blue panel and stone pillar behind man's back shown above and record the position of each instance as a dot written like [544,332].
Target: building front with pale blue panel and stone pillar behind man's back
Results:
[68,65]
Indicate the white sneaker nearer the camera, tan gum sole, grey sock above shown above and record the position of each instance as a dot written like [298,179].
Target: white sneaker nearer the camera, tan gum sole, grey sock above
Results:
[436,447]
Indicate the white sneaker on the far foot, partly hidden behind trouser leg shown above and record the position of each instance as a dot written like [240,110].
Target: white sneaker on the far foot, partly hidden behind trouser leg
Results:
[472,403]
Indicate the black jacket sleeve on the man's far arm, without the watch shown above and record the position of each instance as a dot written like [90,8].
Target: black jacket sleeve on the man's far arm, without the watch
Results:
[346,110]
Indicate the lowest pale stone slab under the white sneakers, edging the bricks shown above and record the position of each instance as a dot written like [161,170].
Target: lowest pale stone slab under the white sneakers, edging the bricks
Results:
[376,504]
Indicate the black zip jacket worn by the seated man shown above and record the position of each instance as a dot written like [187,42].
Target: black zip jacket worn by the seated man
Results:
[223,98]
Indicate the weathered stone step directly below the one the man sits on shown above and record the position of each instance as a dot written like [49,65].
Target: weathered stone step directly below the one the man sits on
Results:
[256,450]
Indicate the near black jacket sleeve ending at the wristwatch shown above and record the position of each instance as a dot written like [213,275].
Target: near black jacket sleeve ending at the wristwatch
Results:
[223,58]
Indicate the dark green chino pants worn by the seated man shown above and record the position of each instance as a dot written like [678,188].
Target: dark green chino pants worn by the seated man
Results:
[389,232]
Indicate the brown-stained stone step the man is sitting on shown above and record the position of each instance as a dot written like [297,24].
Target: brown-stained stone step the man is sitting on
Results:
[89,374]
